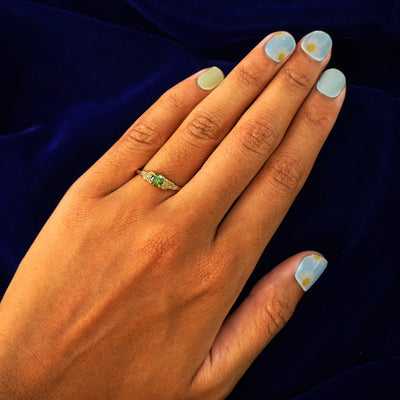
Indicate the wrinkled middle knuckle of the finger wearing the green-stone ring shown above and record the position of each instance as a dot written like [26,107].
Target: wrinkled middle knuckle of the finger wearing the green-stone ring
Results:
[205,126]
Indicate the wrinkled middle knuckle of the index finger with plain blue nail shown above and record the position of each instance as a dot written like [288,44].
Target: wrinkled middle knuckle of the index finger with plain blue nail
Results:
[287,173]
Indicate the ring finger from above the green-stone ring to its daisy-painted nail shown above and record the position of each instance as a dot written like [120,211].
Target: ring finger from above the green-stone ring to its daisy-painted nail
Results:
[212,119]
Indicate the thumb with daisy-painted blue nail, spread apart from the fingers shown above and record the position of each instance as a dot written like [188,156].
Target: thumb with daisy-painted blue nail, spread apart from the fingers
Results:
[246,332]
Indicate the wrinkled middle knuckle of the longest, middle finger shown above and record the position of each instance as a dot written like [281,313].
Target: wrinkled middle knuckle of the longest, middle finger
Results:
[259,135]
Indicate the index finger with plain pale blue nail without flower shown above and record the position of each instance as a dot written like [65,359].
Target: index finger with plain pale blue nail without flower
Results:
[262,207]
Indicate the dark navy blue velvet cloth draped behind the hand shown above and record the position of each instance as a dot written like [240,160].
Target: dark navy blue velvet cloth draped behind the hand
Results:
[74,74]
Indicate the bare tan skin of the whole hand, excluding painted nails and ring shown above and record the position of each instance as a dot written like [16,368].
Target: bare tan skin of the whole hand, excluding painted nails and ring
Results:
[125,291]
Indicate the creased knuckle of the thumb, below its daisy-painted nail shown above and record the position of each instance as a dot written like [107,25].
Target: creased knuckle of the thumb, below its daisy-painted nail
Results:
[275,312]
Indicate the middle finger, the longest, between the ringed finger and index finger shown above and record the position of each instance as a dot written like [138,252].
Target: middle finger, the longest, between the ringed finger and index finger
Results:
[259,131]
